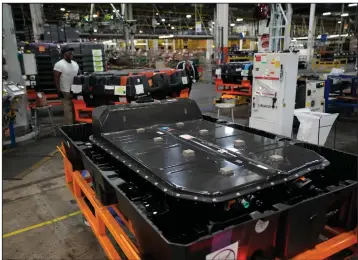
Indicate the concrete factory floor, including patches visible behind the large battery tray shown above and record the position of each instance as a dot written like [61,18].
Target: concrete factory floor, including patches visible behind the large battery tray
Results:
[34,197]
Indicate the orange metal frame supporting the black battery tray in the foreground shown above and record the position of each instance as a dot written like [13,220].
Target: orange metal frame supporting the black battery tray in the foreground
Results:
[103,219]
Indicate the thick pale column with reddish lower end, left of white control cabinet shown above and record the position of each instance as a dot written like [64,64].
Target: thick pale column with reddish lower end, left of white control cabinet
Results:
[222,14]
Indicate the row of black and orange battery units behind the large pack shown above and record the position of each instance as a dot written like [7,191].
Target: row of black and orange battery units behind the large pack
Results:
[118,87]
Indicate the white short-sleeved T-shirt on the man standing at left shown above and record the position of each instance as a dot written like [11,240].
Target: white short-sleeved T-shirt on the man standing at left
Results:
[68,72]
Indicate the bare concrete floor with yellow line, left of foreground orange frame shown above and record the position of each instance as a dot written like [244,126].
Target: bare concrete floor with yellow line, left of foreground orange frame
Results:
[42,196]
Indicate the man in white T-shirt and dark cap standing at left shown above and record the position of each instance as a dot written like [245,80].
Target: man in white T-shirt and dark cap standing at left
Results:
[63,72]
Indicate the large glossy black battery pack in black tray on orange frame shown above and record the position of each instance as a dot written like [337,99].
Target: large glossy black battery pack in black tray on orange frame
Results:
[190,188]
